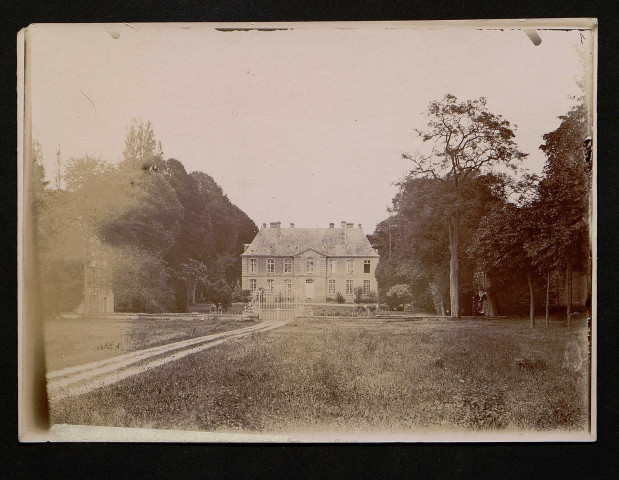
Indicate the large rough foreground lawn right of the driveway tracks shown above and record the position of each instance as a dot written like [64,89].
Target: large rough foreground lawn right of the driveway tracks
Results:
[360,375]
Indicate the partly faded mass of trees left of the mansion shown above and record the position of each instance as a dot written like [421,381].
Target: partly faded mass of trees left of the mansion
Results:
[148,230]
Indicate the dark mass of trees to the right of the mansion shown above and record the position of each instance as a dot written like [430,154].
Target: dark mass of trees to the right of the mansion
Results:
[459,226]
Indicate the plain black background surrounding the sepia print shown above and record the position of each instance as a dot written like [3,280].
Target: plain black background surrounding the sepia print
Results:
[558,460]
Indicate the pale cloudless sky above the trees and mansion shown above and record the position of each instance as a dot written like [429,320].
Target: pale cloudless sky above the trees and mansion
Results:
[305,125]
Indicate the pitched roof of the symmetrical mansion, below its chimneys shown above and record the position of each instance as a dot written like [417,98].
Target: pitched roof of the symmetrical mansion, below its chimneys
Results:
[333,242]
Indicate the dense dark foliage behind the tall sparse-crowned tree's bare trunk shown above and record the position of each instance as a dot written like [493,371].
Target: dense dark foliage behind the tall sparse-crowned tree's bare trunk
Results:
[420,236]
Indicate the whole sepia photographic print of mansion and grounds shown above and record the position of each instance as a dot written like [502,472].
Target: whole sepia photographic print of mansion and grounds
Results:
[308,232]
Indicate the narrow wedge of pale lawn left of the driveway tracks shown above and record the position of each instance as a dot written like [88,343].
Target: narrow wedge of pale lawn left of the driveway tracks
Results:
[74,341]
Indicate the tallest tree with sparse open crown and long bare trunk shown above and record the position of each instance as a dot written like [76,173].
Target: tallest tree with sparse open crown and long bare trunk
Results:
[463,139]
